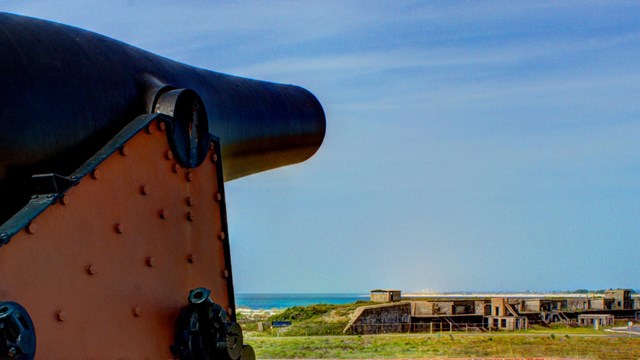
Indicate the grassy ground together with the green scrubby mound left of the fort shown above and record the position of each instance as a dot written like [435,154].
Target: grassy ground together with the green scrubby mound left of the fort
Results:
[316,332]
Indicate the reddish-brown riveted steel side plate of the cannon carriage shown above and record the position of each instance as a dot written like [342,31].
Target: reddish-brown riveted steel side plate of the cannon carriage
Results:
[104,271]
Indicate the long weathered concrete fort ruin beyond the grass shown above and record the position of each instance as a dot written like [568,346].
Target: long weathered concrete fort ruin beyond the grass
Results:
[489,312]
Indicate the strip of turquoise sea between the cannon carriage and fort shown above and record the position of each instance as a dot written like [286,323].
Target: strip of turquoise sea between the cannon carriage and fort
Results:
[283,301]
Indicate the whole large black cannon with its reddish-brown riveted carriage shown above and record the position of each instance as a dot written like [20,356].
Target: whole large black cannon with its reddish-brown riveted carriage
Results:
[114,240]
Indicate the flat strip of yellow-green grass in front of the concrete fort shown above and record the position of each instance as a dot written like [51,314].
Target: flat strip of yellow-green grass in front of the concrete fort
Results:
[581,346]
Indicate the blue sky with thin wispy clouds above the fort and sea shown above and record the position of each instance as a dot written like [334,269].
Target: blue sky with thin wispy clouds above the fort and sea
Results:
[470,145]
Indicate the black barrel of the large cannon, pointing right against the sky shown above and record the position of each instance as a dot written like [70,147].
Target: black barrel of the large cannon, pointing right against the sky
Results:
[65,91]
